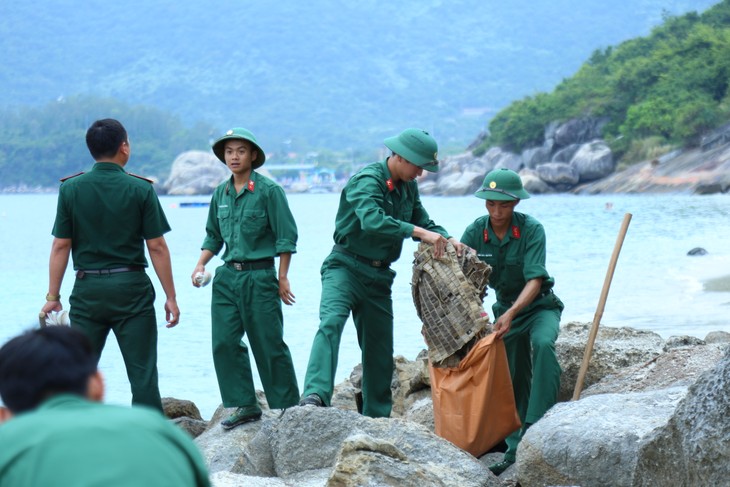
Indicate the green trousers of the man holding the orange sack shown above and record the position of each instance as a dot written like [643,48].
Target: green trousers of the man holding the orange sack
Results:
[533,365]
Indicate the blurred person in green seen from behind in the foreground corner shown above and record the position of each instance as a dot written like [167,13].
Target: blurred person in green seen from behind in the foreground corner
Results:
[61,434]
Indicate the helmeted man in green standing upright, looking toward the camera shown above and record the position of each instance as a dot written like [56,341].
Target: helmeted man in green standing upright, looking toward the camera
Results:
[249,213]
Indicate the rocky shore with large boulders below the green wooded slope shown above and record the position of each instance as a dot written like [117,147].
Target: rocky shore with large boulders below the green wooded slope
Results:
[574,158]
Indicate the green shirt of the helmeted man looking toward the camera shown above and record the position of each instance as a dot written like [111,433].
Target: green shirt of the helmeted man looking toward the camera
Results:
[254,224]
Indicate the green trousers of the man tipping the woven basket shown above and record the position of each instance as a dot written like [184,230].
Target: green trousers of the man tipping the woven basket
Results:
[350,285]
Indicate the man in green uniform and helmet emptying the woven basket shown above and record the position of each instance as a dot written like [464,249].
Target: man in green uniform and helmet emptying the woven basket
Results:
[379,207]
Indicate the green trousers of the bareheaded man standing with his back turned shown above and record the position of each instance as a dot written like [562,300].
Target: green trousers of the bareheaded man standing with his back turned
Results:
[123,303]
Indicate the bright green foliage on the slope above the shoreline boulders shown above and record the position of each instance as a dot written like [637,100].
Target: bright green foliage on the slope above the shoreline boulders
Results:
[672,84]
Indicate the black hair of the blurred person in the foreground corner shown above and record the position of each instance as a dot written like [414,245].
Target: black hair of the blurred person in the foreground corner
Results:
[42,363]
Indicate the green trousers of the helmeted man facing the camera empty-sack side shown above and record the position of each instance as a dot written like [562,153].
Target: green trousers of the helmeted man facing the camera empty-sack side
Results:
[247,303]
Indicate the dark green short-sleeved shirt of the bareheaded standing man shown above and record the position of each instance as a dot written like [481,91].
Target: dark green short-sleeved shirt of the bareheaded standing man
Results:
[108,214]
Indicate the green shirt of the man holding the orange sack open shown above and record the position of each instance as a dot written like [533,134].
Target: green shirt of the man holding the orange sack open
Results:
[518,258]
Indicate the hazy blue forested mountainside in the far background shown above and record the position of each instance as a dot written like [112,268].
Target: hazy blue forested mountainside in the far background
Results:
[303,75]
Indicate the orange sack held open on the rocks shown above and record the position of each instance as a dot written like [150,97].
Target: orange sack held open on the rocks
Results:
[473,404]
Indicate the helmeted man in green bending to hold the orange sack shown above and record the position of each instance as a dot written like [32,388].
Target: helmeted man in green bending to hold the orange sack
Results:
[527,312]
